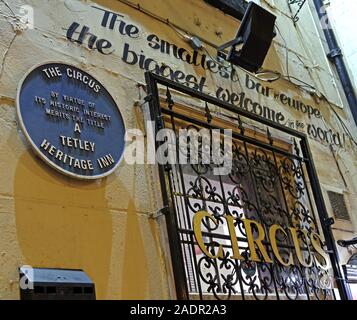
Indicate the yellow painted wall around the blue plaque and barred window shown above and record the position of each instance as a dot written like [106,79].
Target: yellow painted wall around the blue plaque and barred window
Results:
[103,227]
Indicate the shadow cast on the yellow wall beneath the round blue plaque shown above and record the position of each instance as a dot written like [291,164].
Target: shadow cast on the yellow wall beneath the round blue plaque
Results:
[63,223]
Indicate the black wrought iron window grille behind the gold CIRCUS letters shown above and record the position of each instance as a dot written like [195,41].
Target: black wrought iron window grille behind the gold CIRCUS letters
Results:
[272,181]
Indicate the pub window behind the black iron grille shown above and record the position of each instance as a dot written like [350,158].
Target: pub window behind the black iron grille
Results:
[266,186]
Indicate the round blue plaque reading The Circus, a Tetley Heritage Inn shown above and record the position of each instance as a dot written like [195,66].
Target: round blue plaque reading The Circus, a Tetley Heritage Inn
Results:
[71,120]
